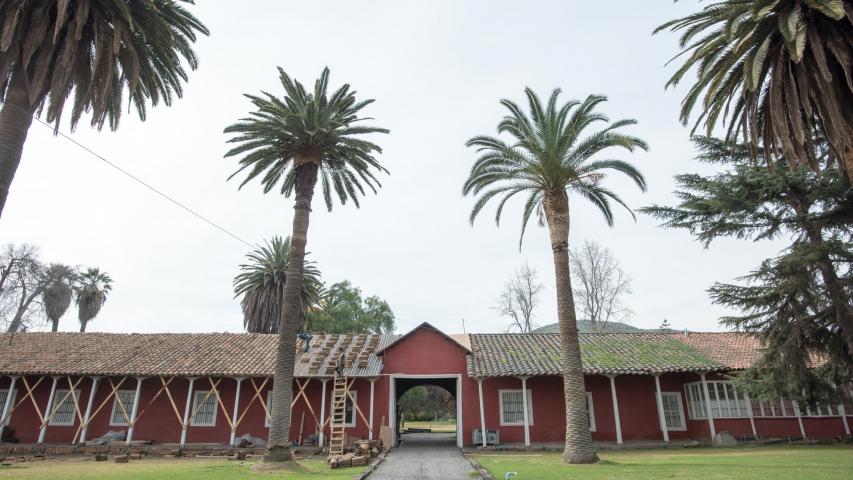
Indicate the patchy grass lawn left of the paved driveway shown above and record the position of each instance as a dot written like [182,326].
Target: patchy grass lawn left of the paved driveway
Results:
[156,469]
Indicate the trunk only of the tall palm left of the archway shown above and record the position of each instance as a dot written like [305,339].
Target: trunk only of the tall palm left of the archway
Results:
[278,446]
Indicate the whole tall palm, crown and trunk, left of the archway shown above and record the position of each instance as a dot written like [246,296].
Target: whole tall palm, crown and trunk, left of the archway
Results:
[294,141]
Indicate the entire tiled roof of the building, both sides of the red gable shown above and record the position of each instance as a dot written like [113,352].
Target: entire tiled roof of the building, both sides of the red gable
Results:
[233,355]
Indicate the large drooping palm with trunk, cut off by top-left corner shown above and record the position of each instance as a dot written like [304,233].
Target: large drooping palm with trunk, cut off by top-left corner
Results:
[109,53]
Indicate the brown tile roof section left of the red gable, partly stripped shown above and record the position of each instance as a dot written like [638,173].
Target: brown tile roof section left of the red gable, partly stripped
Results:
[182,354]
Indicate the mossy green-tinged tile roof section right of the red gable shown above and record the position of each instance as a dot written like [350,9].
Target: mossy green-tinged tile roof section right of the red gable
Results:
[606,353]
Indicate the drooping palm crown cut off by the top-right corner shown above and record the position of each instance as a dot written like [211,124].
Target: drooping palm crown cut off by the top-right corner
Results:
[776,71]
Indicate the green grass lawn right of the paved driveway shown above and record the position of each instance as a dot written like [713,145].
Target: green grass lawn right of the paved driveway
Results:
[819,462]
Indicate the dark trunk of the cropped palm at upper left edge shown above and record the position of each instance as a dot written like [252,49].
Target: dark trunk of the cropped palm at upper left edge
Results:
[15,119]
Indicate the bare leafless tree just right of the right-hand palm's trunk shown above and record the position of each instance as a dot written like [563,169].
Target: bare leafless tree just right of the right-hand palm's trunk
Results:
[600,285]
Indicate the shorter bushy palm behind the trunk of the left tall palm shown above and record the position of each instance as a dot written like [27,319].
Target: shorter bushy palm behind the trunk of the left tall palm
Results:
[261,284]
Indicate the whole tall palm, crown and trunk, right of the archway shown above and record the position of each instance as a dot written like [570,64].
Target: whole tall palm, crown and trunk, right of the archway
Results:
[546,160]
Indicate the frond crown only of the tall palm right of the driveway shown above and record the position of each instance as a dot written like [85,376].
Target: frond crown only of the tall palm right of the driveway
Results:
[547,152]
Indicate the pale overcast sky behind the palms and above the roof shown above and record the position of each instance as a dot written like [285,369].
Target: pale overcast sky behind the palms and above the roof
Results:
[437,70]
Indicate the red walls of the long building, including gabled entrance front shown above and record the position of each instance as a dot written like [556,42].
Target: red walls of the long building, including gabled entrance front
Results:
[424,352]
